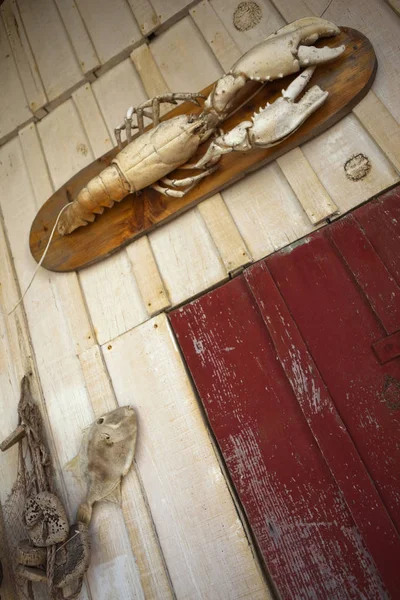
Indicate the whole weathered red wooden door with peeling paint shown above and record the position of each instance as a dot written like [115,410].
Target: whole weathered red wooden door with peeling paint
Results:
[297,363]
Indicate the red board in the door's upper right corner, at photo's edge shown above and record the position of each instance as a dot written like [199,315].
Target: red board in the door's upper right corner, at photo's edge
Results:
[380,220]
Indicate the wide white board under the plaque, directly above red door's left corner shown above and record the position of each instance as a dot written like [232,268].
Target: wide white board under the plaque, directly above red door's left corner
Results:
[187,257]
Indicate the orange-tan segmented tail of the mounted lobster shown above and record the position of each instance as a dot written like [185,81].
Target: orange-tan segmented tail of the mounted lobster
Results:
[101,192]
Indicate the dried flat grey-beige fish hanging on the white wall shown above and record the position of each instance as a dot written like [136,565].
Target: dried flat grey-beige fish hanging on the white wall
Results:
[105,456]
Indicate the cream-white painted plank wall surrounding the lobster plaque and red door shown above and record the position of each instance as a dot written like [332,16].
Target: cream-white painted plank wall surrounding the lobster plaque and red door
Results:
[100,337]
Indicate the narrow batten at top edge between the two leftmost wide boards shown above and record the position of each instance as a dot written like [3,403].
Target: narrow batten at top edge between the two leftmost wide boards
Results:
[81,42]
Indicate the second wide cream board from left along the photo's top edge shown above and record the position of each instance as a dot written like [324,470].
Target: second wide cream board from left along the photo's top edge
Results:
[111,26]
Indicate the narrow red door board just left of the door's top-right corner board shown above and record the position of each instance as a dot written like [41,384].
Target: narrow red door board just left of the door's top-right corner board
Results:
[369,271]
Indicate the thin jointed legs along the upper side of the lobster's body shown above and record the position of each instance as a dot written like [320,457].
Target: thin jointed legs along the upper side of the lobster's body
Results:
[141,112]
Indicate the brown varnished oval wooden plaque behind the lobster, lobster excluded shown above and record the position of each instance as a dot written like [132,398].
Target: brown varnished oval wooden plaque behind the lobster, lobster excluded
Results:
[136,215]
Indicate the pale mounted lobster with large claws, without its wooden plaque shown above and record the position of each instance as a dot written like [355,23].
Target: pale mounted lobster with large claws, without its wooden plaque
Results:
[147,159]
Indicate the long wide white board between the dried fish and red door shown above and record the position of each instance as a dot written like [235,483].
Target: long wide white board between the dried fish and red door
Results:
[202,539]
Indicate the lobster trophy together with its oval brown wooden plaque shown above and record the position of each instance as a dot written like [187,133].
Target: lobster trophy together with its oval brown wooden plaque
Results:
[265,109]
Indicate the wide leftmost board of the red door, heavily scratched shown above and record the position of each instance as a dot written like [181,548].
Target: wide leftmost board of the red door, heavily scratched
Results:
[304,529]
